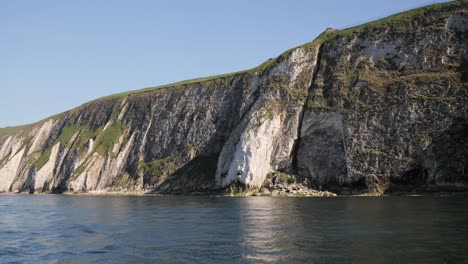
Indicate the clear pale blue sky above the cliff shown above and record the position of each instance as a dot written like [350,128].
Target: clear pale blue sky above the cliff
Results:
[56,55]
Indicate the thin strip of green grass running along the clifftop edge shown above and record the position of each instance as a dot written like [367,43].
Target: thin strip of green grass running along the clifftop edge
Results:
[326,36]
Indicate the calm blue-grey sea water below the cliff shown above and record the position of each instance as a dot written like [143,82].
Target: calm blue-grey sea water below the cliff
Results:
[184,229]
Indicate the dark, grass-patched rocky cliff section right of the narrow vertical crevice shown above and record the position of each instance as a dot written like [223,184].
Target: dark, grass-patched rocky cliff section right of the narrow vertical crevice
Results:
[383,98]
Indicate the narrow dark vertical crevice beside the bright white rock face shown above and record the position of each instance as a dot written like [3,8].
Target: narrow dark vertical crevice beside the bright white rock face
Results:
[295,149]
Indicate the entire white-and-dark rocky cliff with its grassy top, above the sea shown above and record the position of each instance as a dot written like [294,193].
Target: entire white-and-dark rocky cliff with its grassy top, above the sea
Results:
[378,107]
